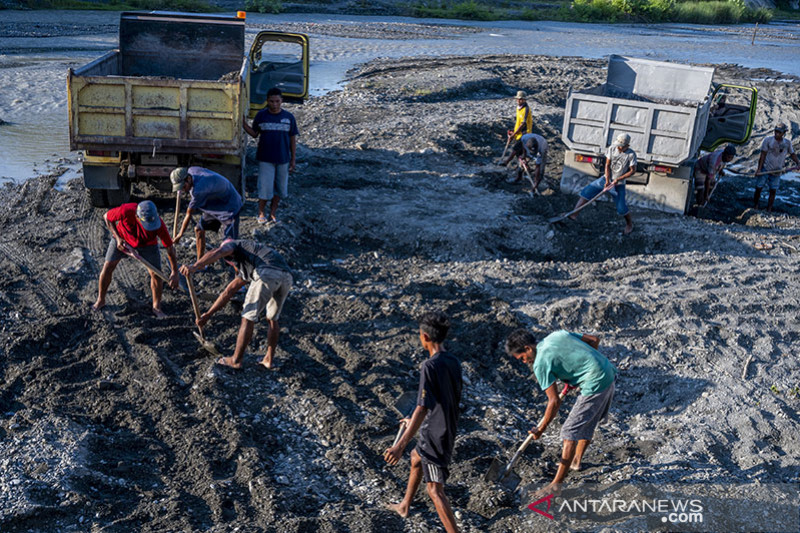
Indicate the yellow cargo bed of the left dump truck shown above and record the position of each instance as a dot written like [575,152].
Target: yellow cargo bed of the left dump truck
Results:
[174,85]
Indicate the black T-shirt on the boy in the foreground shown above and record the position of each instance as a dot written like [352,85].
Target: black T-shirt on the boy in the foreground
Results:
[440,392]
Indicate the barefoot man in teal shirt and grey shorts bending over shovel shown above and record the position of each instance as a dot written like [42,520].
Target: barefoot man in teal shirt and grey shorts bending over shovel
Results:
[573,359]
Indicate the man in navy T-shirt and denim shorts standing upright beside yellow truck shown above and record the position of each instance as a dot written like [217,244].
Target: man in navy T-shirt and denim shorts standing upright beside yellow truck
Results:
[276,130]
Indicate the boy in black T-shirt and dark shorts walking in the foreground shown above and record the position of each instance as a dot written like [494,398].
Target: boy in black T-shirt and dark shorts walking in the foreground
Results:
[436,418]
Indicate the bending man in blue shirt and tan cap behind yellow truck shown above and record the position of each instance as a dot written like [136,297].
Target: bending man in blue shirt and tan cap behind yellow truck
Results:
[214,196]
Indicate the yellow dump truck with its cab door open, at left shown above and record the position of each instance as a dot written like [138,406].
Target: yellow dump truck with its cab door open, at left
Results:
[174,94]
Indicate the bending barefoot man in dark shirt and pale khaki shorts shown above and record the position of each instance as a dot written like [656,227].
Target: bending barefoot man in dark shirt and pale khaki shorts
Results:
[270,282]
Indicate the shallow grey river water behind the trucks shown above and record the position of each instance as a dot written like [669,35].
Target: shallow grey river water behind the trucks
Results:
[33,63]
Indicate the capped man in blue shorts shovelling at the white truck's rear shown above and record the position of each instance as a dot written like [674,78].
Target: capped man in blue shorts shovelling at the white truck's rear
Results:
[620,165]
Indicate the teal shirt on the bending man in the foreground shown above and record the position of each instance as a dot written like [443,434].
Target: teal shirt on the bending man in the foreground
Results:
[564,356]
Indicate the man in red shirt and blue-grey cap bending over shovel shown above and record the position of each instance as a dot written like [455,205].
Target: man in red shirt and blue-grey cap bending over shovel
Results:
[137,227]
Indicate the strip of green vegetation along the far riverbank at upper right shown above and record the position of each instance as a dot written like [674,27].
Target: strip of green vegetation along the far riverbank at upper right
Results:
[691,11]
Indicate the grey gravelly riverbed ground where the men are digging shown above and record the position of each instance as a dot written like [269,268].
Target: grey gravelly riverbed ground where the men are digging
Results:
[116,421]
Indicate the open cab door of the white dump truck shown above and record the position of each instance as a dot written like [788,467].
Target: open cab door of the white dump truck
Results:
[732,114]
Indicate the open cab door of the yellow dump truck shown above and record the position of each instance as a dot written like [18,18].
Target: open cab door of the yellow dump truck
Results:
[279,60]
